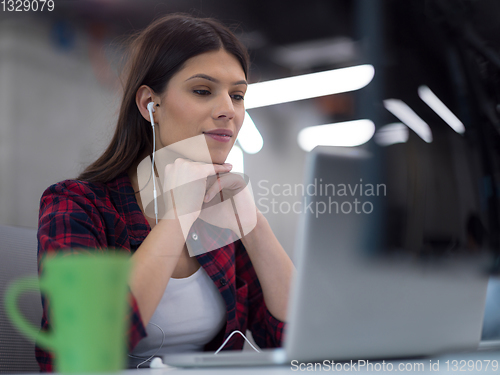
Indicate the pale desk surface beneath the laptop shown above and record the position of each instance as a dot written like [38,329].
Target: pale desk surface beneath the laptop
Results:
[484,362]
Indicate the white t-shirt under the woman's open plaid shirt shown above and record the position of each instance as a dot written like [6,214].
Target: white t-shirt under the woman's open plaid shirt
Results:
[190,313]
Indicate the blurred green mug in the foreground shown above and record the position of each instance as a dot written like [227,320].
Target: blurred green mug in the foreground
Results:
[87,295]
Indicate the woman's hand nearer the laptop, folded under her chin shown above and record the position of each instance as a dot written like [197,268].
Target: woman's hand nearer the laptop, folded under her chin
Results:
[229,203]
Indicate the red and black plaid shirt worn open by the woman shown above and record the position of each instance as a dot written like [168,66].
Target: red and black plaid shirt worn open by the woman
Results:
[77,214]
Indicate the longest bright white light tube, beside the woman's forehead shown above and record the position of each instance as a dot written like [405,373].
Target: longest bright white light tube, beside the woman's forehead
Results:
[308,86]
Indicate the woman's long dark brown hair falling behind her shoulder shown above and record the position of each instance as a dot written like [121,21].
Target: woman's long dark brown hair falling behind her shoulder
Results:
[156,54]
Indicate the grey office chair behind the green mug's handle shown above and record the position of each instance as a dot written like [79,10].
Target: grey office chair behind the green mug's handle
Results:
[18,258]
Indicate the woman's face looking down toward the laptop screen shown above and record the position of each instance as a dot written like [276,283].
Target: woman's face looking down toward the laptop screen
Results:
[205,97]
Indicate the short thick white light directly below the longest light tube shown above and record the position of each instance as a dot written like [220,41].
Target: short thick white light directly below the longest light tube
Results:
[346,134]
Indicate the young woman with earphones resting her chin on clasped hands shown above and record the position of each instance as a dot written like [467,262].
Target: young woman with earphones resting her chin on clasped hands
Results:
[194,71]
